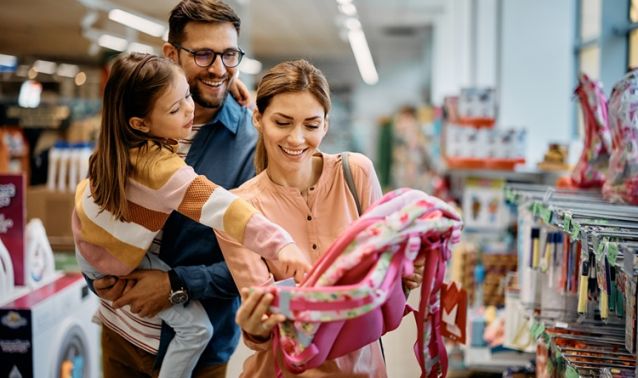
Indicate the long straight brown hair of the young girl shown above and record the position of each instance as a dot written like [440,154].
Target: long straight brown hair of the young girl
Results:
[136,81]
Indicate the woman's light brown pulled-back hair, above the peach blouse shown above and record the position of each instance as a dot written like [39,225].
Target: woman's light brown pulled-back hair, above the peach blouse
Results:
[287,77]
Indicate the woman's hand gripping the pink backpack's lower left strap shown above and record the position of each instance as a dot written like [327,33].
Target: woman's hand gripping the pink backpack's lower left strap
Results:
[253,316]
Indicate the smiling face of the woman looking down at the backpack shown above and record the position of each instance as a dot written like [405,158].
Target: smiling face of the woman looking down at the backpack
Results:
[292,126]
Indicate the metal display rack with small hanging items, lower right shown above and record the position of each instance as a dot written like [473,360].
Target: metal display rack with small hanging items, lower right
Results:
[578,273]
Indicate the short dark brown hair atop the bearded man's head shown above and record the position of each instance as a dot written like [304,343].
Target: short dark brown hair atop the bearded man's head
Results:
[200,11]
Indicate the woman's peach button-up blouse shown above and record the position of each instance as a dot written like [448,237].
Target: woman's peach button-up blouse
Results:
[314,223]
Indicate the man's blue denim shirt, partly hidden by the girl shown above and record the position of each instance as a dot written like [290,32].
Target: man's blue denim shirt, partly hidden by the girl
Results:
[223,151]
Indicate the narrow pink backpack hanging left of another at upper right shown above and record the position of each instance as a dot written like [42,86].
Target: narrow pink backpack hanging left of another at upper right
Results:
[589,171]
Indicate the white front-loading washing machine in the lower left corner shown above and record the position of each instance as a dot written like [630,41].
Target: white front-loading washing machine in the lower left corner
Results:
[48,333]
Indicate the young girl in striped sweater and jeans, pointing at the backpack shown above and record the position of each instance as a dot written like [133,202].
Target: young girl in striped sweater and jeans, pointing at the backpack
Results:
[136,180]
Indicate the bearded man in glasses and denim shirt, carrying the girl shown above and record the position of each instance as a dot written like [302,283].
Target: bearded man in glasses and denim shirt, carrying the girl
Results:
[202,39]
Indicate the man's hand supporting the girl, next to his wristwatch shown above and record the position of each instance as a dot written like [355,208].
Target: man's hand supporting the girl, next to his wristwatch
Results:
[149,295]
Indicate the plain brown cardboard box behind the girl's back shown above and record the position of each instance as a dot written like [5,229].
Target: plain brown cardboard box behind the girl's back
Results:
[54,208]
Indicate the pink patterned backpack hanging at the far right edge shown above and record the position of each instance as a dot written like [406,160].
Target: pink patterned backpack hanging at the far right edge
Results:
[622,176]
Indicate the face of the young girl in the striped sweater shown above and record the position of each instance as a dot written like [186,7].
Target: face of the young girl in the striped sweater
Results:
[172,113]
